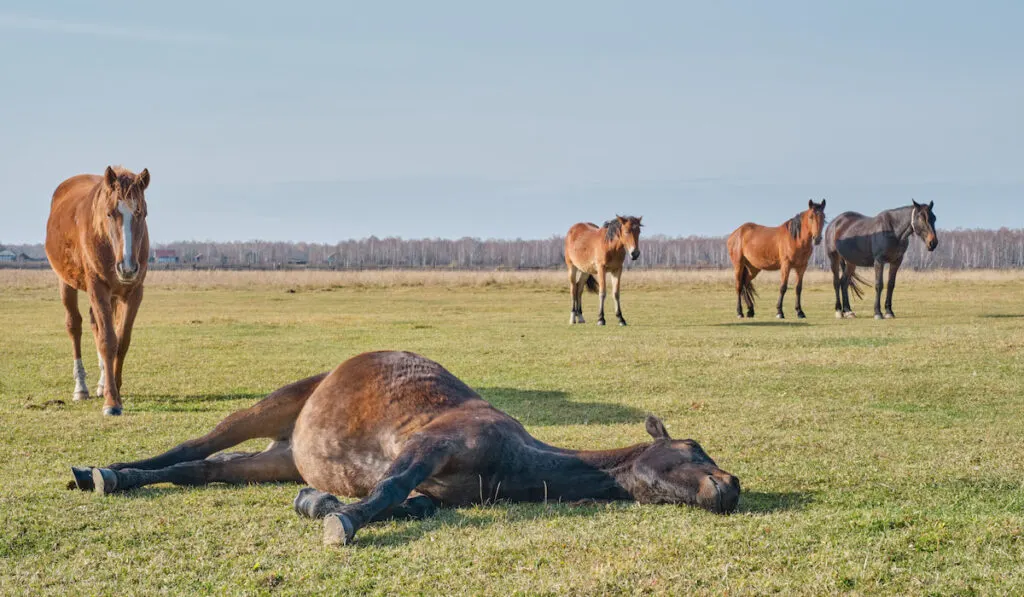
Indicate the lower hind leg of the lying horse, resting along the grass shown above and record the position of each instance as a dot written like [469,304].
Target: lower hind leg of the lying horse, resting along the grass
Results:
[273,465]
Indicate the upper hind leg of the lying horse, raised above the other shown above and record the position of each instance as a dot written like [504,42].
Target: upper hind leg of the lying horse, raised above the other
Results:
[274,418]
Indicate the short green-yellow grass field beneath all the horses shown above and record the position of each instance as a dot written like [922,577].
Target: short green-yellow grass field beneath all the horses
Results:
[876,457]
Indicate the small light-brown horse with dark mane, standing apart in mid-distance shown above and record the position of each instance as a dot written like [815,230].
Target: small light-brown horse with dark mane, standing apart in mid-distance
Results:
[591,252]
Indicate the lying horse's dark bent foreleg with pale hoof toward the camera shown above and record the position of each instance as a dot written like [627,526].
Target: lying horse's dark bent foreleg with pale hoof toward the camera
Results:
[415,464]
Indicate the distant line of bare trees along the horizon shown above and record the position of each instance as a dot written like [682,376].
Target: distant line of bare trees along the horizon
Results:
[958,250]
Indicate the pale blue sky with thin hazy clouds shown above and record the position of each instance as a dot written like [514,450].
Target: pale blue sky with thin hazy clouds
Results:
[325,121]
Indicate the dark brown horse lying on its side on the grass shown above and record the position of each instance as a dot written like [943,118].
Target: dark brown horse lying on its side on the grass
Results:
[385,425]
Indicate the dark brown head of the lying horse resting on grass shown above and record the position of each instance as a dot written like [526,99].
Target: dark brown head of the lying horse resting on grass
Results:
[678,472]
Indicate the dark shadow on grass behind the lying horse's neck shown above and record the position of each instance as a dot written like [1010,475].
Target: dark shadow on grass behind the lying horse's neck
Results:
[550,408]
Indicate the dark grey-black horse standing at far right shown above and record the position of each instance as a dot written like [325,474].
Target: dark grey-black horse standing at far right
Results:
[854,240]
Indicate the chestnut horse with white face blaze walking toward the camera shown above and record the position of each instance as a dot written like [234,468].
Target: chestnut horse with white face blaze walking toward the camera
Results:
[98,242]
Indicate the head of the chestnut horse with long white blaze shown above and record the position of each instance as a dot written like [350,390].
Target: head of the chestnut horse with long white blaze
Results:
[122,218]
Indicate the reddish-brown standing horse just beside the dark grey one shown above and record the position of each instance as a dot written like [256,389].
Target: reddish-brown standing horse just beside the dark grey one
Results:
[787,247]
